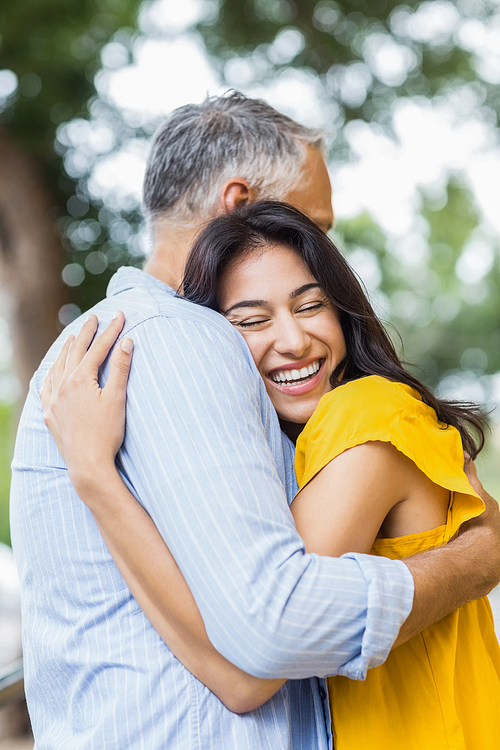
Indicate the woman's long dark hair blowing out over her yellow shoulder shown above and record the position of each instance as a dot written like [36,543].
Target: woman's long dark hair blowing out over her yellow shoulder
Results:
[369,348]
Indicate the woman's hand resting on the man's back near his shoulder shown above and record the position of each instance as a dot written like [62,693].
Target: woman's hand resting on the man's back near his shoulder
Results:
[87,421]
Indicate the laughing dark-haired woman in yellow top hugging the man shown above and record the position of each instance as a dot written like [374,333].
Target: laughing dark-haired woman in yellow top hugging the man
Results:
[390,450]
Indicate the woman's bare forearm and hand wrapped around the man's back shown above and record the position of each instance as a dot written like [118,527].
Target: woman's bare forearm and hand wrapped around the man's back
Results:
[79,413]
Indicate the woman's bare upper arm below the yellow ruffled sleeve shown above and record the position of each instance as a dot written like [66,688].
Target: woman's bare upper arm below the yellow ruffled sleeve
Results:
[377,491]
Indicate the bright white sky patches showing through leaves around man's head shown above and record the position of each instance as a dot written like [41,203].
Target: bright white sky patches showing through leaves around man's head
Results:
[433,139]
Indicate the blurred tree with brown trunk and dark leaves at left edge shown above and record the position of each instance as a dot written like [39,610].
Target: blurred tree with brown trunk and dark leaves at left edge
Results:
[49,54]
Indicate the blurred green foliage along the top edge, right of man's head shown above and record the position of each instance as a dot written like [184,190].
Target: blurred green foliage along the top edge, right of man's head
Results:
[335,38]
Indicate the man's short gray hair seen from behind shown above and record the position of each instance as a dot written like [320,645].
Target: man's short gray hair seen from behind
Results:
[199,146]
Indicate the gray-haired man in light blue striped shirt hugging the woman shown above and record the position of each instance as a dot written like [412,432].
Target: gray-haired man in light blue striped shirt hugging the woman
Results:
[204,454]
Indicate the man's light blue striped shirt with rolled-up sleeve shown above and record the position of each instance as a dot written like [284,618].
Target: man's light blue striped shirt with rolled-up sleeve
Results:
[205,455]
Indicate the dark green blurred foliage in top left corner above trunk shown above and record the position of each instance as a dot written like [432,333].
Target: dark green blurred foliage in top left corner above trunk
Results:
[53,48]
